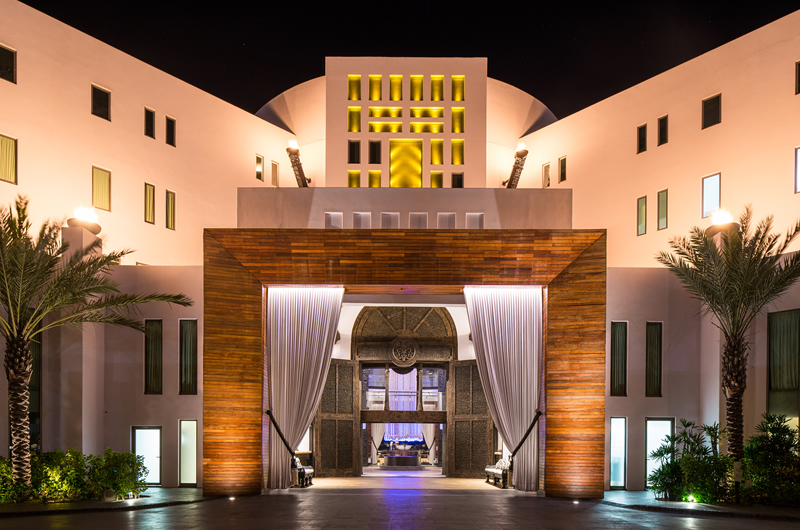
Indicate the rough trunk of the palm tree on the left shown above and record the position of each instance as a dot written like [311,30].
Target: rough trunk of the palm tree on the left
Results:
[19,366]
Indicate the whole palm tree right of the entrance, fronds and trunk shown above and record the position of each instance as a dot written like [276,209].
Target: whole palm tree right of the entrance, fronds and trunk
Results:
[734,279]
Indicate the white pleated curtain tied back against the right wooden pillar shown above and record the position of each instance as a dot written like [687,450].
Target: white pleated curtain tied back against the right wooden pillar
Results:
[506,325]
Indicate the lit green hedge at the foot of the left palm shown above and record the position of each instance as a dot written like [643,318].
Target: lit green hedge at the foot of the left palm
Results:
[73,476]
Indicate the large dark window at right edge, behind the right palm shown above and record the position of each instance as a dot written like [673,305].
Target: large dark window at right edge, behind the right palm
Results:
[784,364]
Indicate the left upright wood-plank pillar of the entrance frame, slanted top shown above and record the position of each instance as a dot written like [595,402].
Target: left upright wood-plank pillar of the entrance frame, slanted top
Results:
[232,374]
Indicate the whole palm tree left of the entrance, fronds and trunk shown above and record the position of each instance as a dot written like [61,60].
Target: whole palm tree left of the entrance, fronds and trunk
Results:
[42,288]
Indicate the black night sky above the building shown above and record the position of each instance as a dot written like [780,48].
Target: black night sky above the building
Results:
[566,54]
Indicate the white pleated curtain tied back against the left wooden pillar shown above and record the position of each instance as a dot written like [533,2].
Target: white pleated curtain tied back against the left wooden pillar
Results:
[301,330]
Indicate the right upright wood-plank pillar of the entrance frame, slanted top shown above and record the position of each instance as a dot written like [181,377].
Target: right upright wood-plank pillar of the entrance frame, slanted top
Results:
[575,377]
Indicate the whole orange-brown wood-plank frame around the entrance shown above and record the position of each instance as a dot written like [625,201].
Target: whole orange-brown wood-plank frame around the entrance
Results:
[240,263]
